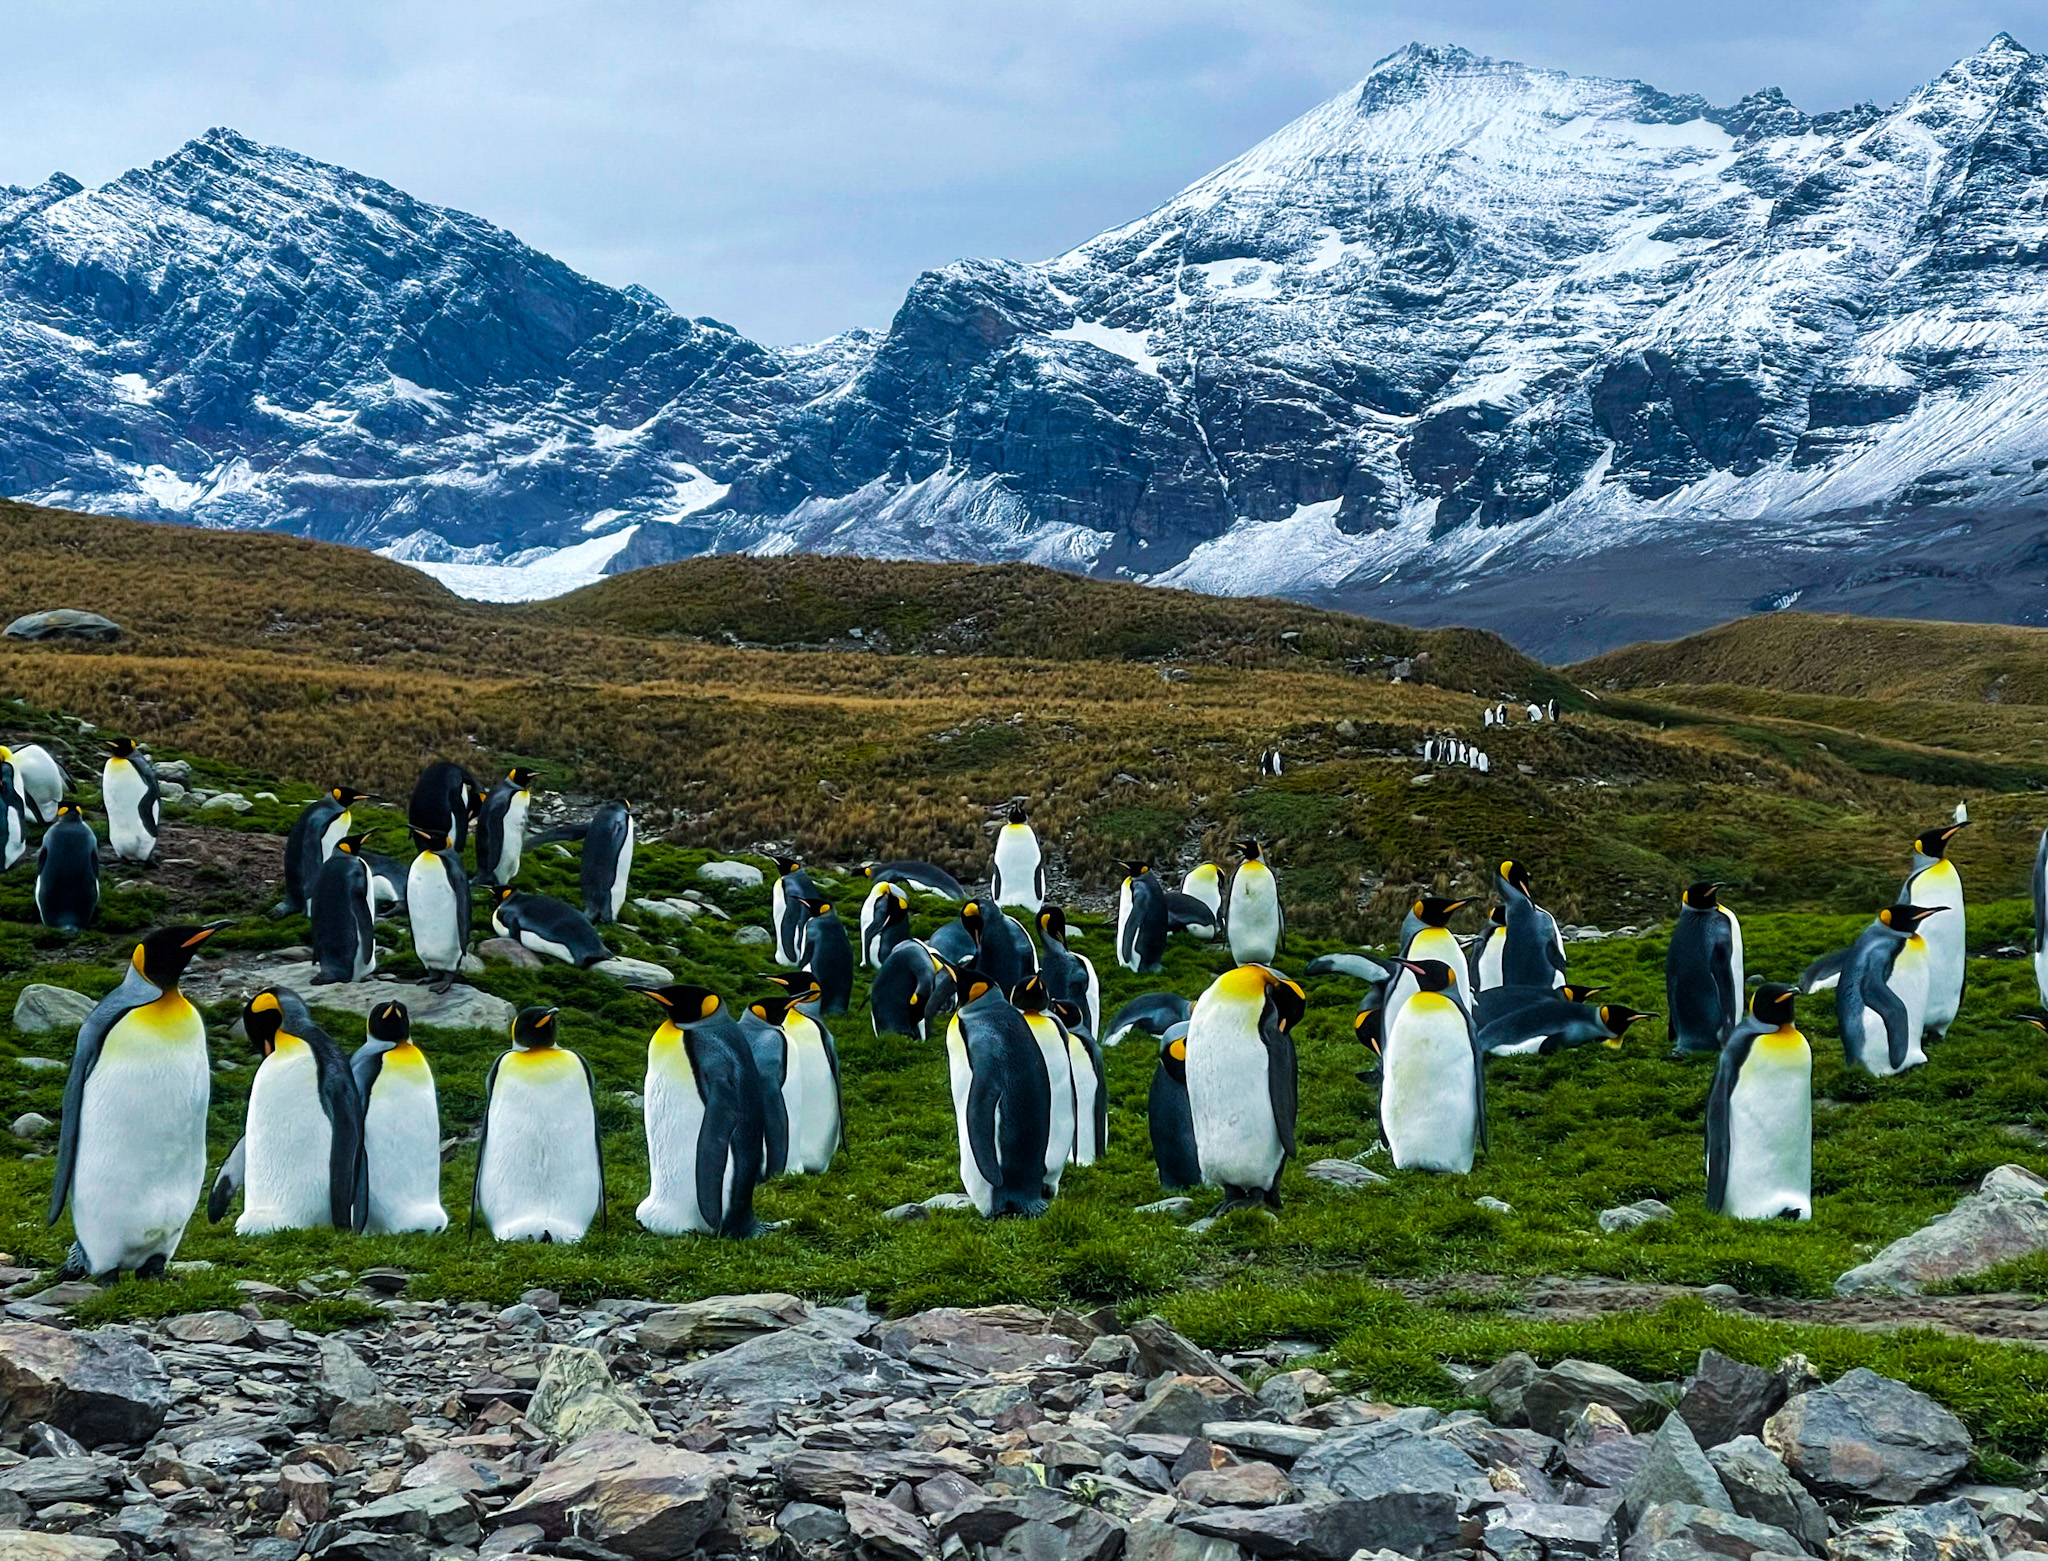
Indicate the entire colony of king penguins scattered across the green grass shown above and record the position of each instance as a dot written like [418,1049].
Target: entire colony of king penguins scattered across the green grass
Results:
[736,1097]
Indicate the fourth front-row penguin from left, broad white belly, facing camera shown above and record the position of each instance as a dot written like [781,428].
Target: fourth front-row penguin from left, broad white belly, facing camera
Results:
[540,1158]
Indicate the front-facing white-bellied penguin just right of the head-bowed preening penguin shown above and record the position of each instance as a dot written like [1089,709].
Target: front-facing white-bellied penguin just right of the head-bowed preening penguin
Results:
[1435,1093]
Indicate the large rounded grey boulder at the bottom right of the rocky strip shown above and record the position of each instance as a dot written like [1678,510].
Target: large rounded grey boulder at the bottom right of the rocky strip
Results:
[1869,1439]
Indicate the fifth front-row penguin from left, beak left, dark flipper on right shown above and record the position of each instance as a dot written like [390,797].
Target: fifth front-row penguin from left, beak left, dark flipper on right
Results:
[706,1130]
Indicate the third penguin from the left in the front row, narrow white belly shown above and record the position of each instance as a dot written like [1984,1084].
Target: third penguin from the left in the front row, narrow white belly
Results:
[400,1126]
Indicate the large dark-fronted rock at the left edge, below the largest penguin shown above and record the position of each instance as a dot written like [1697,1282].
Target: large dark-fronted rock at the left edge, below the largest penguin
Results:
[99,1386]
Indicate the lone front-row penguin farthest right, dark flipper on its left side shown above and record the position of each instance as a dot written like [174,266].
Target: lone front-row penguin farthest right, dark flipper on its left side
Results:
[1760,1117]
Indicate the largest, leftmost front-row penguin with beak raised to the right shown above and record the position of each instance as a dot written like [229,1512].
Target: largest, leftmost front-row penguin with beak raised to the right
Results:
[132,1152]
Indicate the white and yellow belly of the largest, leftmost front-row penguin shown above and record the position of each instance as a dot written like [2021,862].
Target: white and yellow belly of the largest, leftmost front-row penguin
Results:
[142,1138]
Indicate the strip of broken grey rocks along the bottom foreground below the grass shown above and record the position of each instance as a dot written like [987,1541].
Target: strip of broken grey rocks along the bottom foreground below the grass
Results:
[773,1427]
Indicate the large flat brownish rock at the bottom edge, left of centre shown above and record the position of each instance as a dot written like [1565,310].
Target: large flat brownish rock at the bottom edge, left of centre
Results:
[628,1494]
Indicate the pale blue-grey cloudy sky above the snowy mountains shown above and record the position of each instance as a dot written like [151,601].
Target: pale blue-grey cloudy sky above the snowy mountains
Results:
[792,167]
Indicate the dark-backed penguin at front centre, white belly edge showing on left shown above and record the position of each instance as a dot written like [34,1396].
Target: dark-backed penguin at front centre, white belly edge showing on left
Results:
[1002,1101]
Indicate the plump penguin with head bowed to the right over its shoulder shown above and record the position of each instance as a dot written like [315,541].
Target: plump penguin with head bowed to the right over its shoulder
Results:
[1244,1083]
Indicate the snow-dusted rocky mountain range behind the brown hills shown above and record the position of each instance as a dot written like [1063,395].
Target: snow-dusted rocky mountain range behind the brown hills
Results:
[1476,343]
